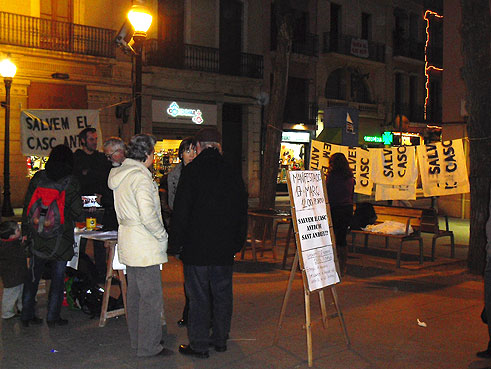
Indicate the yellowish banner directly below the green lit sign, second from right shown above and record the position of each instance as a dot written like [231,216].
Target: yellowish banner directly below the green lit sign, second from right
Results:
[394,166]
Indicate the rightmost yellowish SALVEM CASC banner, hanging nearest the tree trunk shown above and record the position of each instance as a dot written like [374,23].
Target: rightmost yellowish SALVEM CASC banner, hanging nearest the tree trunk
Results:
[442,167]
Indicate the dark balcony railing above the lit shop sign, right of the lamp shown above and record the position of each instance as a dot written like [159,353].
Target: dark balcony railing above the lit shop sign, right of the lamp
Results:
[200,58]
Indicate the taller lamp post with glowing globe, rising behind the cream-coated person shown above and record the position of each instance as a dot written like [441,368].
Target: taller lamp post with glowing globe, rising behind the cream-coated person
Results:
[141,20]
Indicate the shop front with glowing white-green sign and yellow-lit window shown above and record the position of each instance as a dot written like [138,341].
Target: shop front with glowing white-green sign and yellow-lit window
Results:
[174,120]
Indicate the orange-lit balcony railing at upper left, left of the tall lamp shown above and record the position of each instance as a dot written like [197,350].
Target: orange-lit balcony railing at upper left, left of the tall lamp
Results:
[24,31]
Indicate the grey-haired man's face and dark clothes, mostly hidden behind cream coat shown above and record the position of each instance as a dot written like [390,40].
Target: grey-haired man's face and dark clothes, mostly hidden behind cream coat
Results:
[114,150]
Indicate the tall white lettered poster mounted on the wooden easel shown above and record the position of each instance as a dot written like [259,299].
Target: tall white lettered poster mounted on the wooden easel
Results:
[312,223]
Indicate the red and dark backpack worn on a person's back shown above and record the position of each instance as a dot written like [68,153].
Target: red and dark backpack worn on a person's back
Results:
[46,210]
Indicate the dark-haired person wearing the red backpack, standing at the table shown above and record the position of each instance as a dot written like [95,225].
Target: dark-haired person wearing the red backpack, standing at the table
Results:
[55,251]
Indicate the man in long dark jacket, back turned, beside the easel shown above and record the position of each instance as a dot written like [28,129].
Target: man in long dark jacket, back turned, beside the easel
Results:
[209,226]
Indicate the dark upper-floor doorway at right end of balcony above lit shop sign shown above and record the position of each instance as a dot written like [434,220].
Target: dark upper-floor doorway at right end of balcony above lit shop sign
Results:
[230,36]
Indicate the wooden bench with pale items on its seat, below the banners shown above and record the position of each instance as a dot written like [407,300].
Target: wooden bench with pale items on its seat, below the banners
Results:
[408,216]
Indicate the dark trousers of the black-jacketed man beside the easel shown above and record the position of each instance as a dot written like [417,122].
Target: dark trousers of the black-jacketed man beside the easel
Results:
[208,287]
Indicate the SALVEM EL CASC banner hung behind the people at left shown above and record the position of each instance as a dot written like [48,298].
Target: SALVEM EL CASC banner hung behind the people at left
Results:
[41,130]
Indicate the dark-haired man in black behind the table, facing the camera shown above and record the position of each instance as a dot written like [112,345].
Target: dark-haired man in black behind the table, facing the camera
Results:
[91,168]
